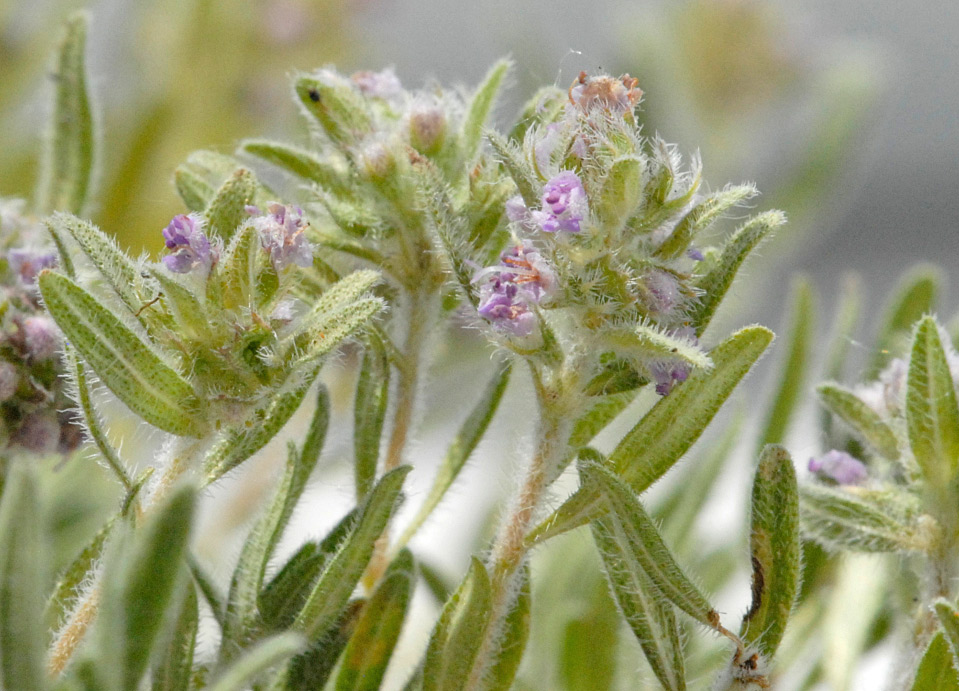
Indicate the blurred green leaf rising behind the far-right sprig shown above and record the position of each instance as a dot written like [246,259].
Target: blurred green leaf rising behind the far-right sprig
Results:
[915,296]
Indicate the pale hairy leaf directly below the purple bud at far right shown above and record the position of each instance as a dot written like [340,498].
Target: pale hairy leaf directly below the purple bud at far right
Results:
[841,520]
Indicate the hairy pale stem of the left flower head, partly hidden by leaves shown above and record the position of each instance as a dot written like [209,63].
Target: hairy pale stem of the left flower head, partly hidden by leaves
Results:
[182,456]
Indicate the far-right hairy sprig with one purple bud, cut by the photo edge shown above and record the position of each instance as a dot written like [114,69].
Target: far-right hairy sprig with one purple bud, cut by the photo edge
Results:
[890,482]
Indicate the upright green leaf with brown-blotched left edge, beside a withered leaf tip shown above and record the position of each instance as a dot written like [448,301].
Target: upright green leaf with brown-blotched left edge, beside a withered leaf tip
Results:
[775,549]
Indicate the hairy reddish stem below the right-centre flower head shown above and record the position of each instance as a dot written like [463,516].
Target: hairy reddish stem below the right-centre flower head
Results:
[509,549]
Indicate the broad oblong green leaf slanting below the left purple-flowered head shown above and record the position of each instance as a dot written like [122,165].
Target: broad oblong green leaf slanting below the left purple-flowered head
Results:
[123,361]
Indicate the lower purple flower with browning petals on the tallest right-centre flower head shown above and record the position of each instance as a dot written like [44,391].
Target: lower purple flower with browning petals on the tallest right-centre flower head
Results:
[522,278]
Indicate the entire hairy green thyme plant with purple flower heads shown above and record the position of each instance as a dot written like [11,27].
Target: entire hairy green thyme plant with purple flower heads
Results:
[591,257]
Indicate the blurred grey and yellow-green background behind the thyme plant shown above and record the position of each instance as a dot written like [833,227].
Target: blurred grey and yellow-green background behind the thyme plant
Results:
[845,113]
